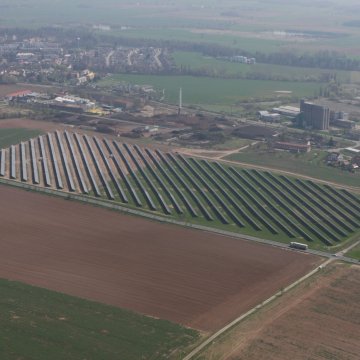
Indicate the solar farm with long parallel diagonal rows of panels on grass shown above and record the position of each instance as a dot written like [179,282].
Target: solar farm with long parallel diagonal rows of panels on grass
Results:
[249,202]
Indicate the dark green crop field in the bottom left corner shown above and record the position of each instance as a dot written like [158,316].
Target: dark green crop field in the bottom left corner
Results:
[41,324]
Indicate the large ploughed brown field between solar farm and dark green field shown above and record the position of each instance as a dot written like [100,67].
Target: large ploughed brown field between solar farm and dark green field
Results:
[194,278]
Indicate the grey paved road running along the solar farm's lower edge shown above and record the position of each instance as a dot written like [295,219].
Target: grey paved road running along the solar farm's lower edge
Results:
[166,220]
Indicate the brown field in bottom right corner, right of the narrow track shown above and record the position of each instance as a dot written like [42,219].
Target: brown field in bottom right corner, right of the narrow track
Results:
[317,320]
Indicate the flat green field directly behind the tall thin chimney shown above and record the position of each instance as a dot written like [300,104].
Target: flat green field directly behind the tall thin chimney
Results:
[214,91]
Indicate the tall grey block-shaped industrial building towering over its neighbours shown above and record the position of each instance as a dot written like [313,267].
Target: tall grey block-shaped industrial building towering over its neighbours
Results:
[314,116]
